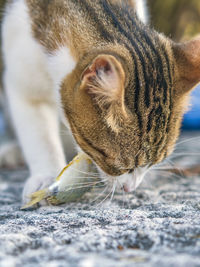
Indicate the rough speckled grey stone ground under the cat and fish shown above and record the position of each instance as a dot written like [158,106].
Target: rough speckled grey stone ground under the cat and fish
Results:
[158,225]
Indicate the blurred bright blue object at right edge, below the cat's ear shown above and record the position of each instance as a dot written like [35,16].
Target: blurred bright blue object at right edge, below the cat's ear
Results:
[191,119]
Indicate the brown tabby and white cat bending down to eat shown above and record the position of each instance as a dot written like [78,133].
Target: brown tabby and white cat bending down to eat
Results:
[120,86]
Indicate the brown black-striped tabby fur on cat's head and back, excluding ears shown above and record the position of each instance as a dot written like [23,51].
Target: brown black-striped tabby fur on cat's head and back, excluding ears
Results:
[147,130]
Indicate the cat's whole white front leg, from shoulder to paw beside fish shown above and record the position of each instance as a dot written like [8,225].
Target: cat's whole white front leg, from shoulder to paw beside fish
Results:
[31,99]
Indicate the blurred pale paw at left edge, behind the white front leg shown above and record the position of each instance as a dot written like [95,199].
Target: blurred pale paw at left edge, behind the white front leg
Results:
[10,155]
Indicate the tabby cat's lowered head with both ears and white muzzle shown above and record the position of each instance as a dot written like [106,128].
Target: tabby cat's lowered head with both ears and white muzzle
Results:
[125,105]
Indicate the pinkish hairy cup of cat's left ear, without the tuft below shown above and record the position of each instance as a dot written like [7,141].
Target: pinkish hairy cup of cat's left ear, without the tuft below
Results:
[104,80]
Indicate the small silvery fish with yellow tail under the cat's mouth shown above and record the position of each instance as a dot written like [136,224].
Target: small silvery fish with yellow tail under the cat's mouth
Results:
[77,178]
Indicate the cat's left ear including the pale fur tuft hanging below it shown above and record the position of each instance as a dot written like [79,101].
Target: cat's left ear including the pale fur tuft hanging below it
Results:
[104,81]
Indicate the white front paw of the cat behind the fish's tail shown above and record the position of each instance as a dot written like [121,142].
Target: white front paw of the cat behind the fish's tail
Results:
[35,183]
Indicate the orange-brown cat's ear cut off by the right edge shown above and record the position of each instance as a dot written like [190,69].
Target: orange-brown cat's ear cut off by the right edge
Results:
[187,57]
